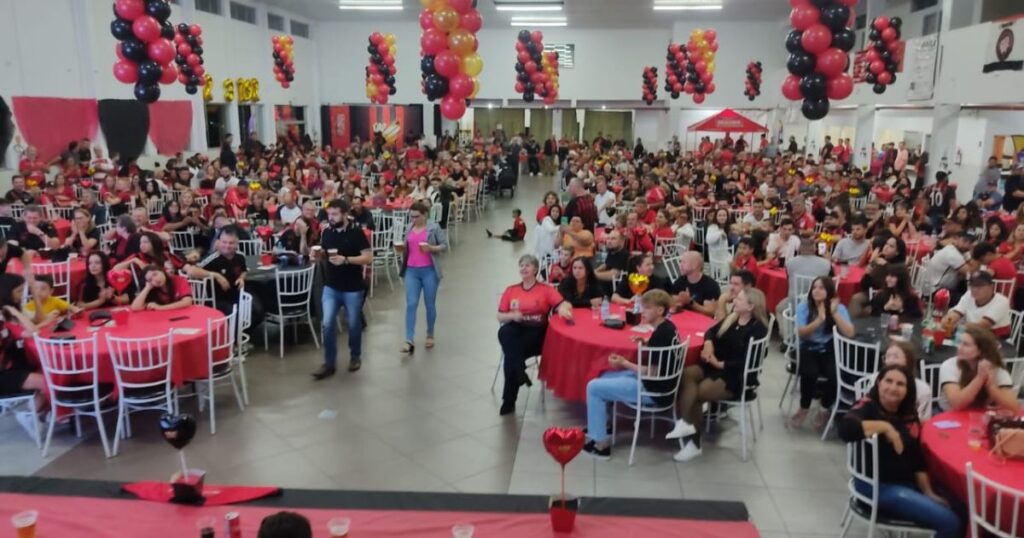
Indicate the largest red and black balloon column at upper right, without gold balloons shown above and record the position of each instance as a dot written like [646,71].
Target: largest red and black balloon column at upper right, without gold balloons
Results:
[820,47]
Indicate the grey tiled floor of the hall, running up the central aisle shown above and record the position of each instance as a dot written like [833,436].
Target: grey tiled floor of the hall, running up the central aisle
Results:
[431,423]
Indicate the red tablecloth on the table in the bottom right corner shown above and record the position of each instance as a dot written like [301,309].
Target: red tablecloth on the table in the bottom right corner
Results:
[948,454]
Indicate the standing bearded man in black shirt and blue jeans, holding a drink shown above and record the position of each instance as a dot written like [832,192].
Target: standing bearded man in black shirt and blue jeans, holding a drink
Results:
[347,250]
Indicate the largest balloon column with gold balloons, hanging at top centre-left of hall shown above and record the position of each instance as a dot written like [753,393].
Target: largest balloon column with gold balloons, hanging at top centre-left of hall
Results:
[451,65]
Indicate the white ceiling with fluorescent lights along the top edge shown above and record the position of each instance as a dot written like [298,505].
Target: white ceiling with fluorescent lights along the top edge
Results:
[581,14]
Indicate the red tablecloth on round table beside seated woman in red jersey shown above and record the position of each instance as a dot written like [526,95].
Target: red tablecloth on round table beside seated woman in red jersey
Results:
[574,355]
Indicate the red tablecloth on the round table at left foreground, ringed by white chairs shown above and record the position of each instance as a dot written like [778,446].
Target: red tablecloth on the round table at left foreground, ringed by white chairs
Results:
[190,357]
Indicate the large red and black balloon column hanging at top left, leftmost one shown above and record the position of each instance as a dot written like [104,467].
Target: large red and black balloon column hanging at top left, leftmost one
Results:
[145,51]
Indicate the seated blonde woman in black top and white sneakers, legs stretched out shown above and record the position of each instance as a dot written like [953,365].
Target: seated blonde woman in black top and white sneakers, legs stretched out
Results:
[720,376]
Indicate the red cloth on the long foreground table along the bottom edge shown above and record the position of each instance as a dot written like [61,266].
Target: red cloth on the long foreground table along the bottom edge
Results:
[113,518]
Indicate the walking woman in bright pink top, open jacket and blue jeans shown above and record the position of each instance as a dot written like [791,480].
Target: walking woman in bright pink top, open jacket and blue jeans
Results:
[422,272]
